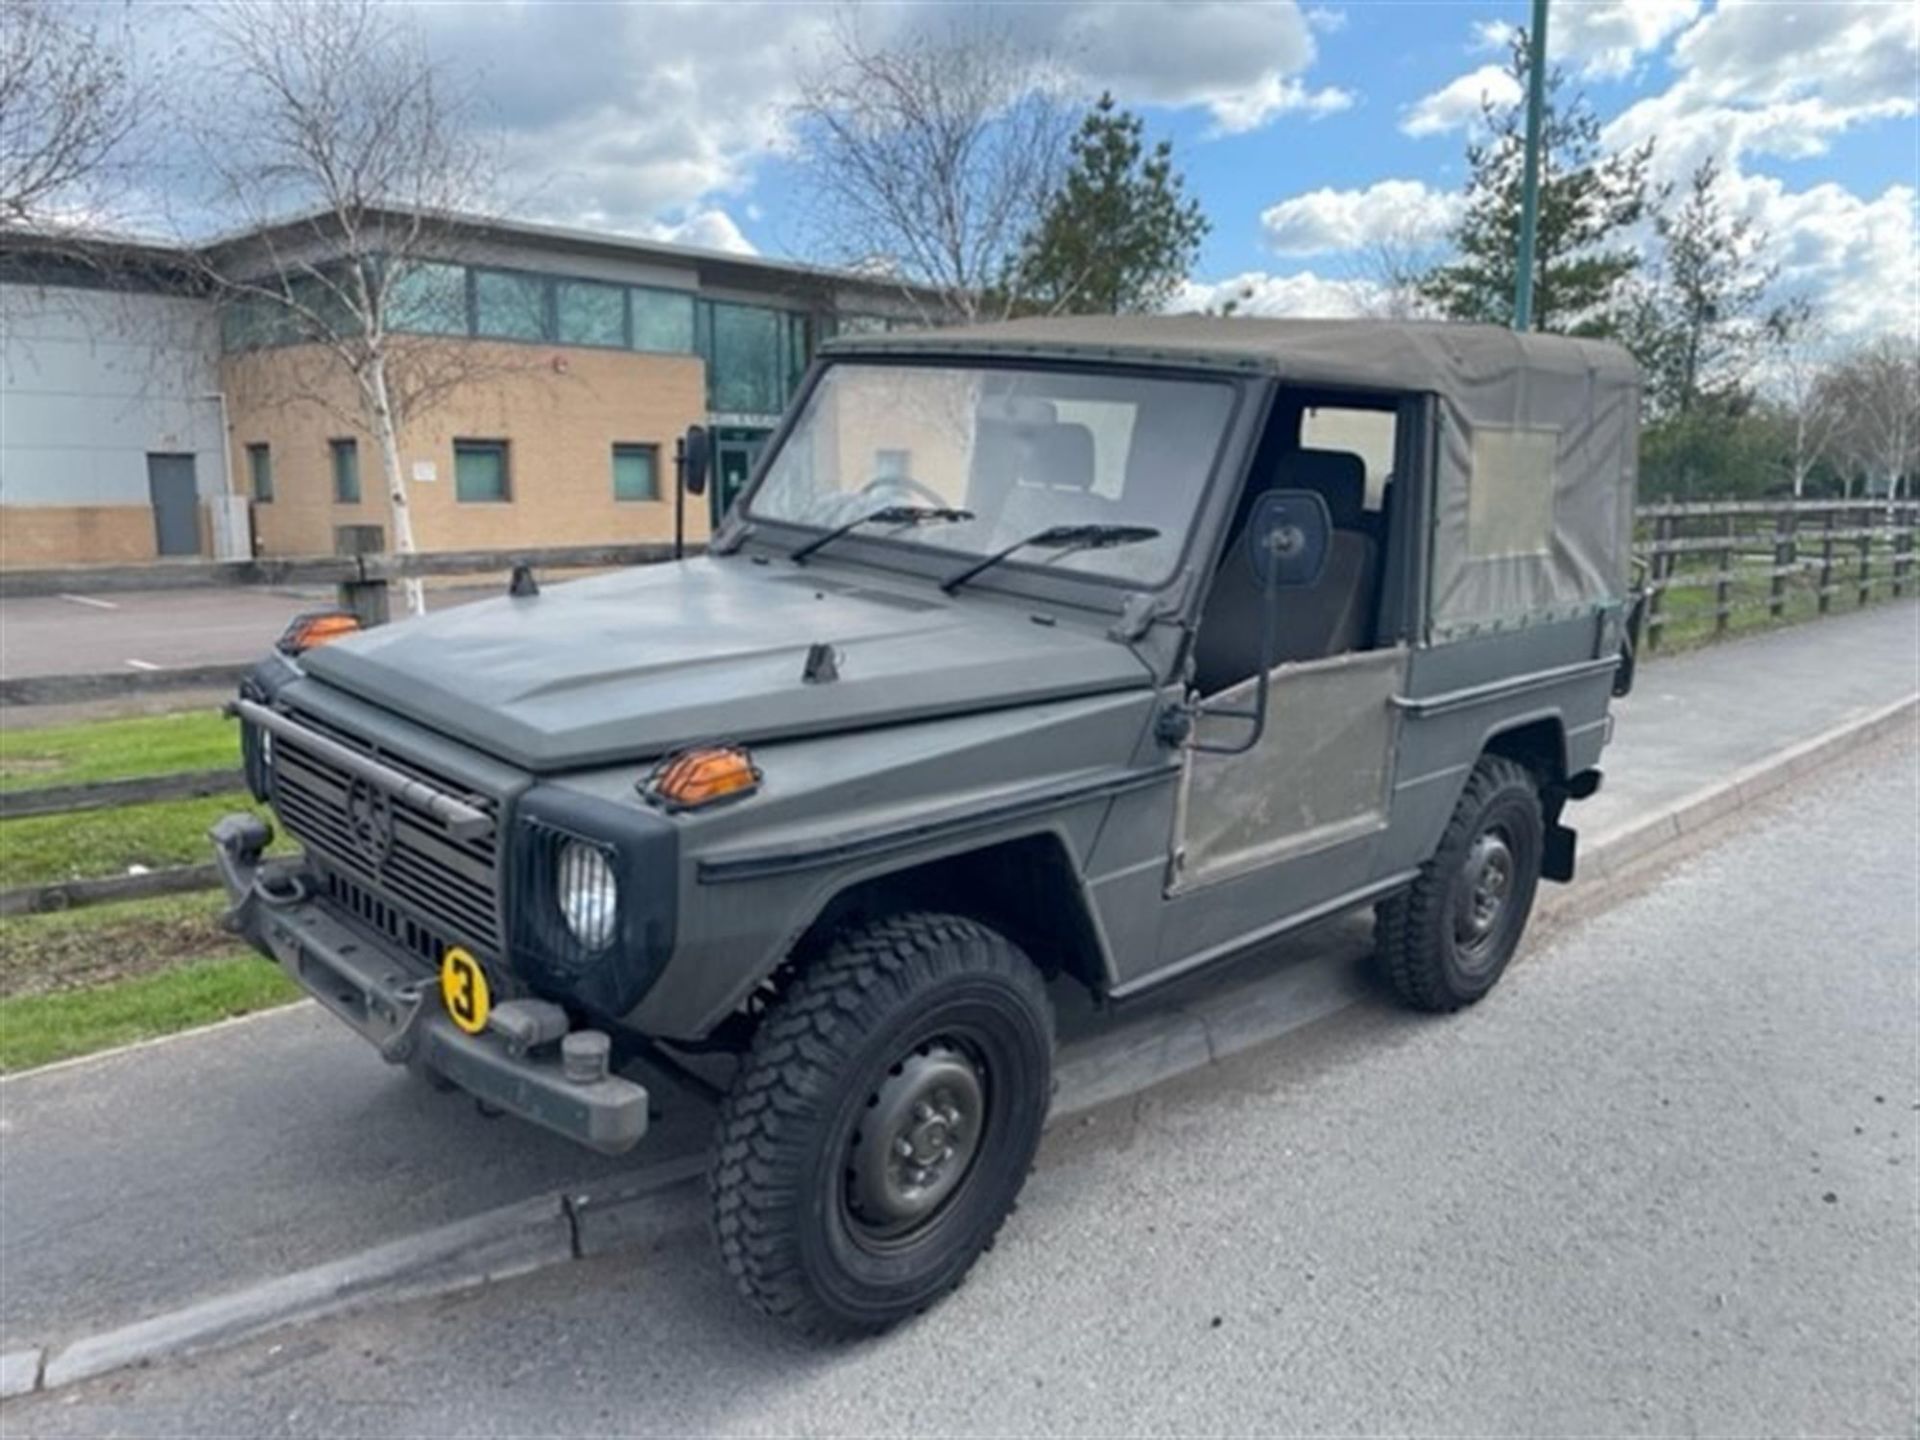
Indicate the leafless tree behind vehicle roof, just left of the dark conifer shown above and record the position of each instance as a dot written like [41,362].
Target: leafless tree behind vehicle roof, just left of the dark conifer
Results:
[934,160]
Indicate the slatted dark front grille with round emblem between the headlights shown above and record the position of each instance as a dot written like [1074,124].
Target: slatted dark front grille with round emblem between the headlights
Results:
[448,886]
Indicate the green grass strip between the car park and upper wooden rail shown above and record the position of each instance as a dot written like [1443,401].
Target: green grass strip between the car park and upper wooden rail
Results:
[118,750]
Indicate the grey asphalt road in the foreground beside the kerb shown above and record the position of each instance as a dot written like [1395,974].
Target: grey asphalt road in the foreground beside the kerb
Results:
[1664,1182]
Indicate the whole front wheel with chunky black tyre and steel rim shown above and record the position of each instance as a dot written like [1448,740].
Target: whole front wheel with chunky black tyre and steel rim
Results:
[882,1124]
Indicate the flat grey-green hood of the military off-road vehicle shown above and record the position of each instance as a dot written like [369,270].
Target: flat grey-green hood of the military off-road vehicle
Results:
[636,663]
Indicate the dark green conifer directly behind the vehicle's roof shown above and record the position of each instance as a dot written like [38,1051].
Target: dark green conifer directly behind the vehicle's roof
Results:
[1120,233]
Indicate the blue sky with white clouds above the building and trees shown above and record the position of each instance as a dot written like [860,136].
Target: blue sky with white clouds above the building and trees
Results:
[1310,130]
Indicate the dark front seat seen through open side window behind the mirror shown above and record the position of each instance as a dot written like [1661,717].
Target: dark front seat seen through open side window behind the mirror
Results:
[1330,617]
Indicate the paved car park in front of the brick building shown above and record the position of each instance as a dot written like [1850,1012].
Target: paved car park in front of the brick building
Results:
[158,629]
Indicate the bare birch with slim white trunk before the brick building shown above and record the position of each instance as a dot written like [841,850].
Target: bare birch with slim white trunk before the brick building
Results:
[333,112]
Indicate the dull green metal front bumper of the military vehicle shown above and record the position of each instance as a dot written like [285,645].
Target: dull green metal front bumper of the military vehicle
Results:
[395,1001]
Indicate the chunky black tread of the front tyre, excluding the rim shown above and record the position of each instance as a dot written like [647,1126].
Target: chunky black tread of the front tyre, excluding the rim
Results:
[786,1084]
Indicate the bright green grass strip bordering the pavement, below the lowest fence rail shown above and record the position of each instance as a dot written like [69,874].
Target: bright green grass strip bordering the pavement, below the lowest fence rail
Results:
[36,1030]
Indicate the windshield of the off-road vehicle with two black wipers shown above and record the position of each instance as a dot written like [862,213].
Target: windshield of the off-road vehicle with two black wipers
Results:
[1020,450]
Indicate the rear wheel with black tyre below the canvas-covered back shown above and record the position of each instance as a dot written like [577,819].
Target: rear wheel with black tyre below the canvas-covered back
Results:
[1447,940]
